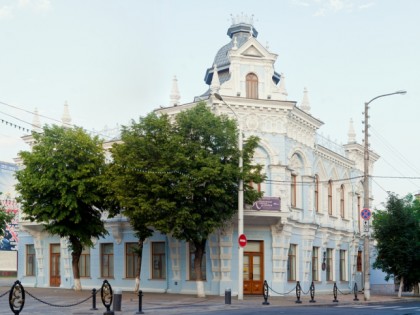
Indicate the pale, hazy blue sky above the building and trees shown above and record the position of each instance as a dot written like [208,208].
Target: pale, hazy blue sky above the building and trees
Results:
[114,61]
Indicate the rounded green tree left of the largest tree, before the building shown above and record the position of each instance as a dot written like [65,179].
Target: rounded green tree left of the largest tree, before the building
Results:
[60,186]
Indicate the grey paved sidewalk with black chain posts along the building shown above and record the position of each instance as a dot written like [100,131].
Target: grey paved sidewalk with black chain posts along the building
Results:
[167,304]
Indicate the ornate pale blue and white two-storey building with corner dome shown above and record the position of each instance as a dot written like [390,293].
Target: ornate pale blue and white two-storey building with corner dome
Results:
[313,234]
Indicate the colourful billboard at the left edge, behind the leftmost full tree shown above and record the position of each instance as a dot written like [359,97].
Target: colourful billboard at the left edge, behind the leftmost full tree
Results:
[7,199]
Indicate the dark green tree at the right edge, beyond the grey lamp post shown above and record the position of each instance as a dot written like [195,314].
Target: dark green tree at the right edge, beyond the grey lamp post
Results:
[397,233]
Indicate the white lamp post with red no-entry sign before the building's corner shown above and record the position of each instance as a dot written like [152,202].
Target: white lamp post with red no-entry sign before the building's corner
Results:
[240,203]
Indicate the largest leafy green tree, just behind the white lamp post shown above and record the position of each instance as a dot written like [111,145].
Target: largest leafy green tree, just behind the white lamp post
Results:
[181,177]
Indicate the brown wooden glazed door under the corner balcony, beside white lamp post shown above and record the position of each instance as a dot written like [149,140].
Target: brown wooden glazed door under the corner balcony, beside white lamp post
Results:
[253,267]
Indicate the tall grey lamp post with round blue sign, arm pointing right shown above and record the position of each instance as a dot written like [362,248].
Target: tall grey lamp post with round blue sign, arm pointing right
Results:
[366,203]
